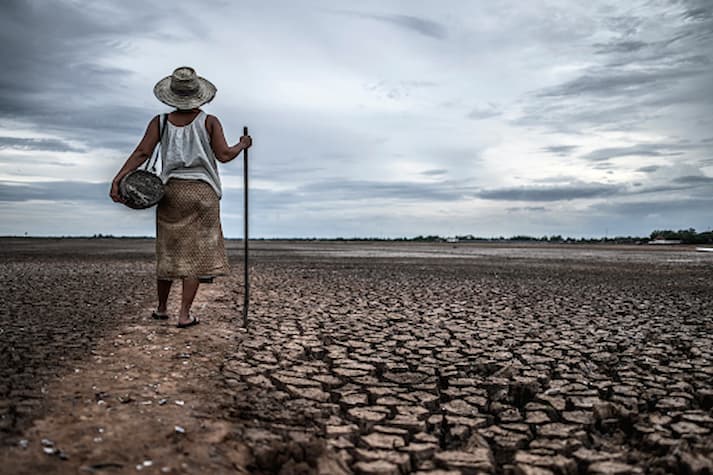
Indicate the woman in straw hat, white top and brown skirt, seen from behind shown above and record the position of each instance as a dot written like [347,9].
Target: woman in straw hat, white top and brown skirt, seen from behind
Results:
[189,236]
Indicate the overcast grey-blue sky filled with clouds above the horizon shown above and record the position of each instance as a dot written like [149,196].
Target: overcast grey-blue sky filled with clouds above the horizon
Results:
[372,118]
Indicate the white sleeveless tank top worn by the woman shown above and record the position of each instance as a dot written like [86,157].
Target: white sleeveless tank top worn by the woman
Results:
[186,153]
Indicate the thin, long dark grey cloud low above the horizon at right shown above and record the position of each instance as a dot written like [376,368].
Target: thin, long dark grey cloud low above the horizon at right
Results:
[550,193]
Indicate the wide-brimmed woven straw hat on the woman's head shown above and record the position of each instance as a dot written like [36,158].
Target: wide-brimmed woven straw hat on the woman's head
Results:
[184,89]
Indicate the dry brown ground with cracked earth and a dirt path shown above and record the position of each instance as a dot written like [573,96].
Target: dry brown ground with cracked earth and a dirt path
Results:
[359,358]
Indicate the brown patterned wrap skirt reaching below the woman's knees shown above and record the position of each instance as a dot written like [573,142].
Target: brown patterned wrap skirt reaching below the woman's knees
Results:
[189,237]
